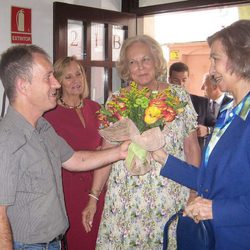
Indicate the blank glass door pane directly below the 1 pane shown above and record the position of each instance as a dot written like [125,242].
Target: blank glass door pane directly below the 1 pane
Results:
[97,84]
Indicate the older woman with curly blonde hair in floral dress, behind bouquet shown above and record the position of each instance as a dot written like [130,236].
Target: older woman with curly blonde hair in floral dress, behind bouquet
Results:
[137,207]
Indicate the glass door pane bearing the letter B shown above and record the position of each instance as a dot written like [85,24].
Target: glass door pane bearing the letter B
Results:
[118,35]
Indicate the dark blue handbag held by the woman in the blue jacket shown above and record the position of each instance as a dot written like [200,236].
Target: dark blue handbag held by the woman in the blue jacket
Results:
[190,235]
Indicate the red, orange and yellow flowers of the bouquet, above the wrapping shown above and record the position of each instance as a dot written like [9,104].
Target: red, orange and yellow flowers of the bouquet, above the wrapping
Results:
[147,109]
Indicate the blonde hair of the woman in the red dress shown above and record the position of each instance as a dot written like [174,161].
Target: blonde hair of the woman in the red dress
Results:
[59,67]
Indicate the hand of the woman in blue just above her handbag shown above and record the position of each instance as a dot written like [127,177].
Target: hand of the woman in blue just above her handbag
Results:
[199,209]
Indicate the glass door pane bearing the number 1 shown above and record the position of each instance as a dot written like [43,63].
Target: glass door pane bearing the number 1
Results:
[97,42]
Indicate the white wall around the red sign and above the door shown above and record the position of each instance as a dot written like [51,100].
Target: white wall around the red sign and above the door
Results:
[42,21]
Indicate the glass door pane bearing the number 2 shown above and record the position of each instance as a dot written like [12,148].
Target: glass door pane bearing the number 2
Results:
[75,39]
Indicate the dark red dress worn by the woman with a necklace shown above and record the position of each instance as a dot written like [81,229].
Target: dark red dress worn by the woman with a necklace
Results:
[77,185]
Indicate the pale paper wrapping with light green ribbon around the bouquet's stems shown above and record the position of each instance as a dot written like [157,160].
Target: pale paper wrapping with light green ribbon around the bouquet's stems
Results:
[142,145]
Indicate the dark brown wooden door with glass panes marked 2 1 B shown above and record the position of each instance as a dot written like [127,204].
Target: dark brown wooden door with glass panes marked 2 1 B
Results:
[95,37]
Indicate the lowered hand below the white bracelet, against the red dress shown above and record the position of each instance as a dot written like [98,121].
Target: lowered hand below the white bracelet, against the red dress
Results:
[88,214]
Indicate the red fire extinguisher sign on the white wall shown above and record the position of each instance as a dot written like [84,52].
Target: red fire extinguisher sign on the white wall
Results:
[21,25]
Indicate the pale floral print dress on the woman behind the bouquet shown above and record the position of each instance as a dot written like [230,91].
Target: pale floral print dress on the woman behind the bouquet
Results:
[137,207]
